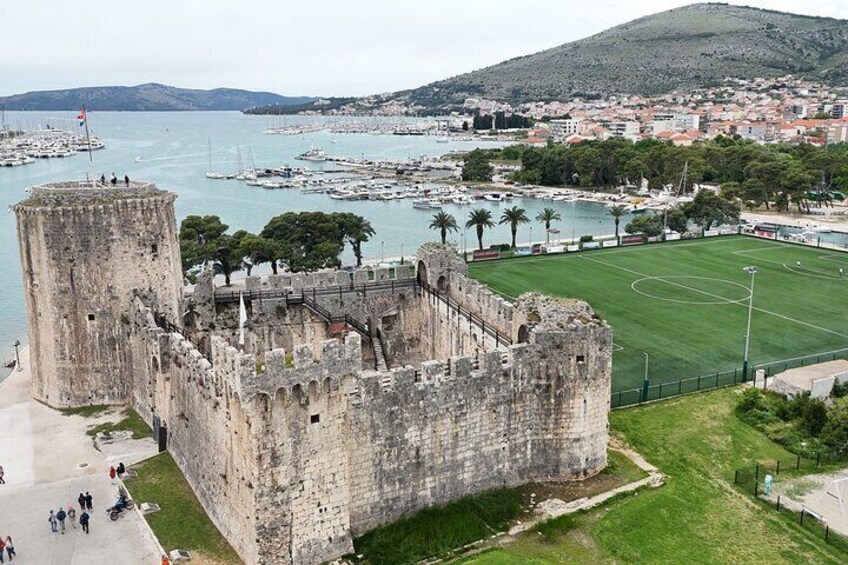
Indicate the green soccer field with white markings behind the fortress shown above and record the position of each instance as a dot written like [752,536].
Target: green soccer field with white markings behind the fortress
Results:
[686,303]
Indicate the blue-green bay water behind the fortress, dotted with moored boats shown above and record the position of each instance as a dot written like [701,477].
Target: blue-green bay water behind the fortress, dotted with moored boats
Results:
[174,151]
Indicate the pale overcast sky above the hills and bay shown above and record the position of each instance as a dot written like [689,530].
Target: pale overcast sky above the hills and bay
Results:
[298,47]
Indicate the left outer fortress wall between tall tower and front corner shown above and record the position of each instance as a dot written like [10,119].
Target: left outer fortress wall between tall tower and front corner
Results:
[210,435]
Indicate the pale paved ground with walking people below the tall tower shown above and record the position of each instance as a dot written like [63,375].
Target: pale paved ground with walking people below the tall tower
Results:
[42,452]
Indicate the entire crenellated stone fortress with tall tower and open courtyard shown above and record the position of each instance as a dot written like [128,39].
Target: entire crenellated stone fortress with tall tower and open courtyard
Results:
[358,396]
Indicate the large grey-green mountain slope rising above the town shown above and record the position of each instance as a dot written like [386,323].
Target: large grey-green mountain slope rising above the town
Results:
[697,45]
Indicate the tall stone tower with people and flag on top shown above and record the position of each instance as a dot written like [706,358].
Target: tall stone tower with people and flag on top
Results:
[86,251]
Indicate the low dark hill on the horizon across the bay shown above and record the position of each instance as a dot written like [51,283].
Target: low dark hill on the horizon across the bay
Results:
[145,97]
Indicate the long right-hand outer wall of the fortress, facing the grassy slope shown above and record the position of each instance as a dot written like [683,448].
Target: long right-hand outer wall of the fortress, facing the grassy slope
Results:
[439,434]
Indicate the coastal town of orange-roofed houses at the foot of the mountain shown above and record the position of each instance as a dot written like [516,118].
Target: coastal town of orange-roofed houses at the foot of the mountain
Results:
[764,110]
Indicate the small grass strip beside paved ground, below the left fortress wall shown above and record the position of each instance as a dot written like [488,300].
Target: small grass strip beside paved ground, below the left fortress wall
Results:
[181,523]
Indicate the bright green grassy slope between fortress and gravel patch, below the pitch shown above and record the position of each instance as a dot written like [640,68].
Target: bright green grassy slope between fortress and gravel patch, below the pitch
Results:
[698,517]
